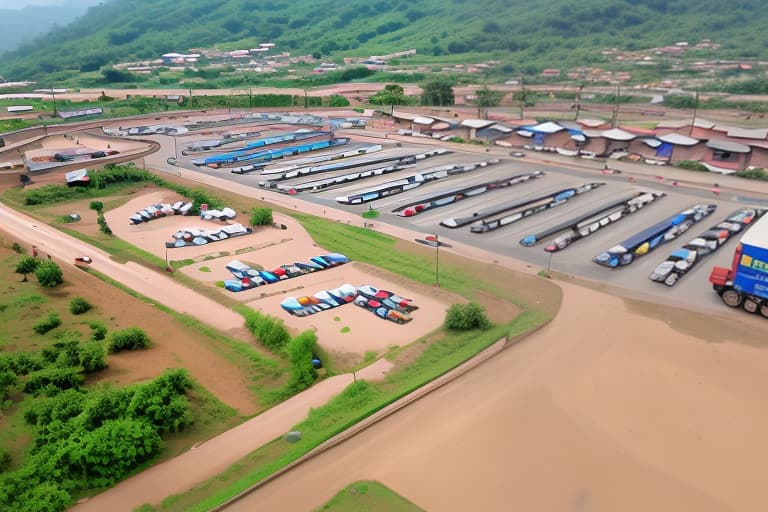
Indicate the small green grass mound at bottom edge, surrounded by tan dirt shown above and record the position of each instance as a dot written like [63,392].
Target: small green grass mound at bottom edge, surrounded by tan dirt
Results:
[368,495]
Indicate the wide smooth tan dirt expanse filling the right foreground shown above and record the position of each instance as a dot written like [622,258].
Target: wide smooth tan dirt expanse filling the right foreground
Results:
[602,410]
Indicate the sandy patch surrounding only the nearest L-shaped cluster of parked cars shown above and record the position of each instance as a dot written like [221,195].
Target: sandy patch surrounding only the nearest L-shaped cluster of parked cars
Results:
[365,330]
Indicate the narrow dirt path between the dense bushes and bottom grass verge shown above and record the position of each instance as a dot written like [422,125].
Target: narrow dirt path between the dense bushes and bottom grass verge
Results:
[212,457]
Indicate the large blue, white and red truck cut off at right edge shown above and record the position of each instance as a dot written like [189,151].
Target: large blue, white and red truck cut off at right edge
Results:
[745,284]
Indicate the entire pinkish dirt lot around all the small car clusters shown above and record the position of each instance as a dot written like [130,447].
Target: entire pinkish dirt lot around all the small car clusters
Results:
[269,248]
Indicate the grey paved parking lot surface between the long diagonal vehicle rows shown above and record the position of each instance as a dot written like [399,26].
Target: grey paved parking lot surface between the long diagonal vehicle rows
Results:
[693,289]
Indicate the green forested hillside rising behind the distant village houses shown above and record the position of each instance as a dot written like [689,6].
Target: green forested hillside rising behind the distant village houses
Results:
[517,32]
